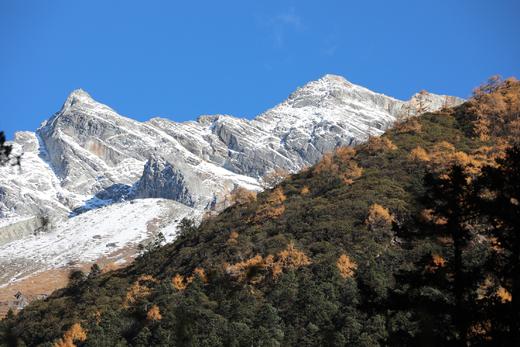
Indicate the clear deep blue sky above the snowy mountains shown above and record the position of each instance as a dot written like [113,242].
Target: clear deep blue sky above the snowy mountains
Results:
[181,59]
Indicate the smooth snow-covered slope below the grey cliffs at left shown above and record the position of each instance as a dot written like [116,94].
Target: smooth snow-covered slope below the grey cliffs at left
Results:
[111,232]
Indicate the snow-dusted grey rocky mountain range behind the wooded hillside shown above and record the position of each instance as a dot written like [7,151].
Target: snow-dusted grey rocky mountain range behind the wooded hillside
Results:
[87,156]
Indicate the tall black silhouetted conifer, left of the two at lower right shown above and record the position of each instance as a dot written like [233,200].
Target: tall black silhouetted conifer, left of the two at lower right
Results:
[440,284]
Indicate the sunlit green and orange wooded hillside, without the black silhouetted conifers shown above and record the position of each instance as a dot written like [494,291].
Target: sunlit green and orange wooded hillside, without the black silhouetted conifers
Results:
[314,261]
